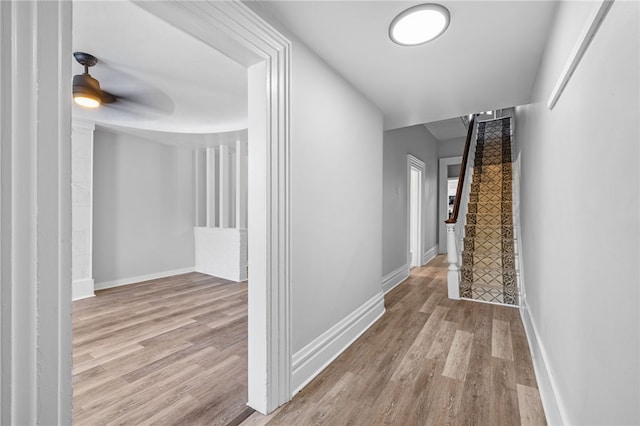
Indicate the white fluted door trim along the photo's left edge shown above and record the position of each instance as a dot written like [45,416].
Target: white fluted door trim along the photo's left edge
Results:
[35,213]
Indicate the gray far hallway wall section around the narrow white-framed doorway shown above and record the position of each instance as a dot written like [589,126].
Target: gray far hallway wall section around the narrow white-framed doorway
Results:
[419,142]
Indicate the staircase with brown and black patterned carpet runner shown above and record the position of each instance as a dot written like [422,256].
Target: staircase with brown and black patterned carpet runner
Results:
[488,270]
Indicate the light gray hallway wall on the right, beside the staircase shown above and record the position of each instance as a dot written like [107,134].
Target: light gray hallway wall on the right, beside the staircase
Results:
[580,218]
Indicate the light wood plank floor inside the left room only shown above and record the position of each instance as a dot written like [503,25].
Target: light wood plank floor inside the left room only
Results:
[167,351]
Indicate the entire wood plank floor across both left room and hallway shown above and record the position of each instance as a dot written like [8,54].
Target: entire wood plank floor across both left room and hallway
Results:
[173,351]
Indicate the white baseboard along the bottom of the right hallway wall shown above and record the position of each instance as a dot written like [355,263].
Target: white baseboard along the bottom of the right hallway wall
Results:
[551,401]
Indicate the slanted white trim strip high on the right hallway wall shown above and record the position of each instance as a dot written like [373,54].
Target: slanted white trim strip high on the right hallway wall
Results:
[584,39]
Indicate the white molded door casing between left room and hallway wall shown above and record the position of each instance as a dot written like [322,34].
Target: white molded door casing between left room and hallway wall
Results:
[235,30]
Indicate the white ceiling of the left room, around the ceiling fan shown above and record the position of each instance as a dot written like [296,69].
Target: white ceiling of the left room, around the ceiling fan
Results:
[168,80]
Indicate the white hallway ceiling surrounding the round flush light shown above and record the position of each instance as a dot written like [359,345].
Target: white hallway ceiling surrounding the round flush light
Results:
[487,58]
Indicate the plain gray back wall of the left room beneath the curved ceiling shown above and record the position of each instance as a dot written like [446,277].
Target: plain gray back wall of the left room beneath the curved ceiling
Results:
[143,207]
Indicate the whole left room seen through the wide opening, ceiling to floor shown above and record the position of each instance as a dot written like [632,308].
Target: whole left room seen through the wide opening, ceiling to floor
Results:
[159,189]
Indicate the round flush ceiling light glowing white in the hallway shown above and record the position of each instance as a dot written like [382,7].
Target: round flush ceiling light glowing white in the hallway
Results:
[419,24]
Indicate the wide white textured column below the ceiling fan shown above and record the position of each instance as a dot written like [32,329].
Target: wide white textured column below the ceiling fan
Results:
[82,209]
